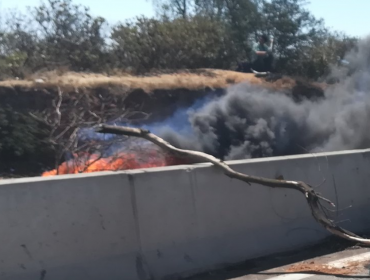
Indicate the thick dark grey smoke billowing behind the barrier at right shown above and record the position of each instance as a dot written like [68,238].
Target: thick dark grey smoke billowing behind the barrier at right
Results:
[252,122]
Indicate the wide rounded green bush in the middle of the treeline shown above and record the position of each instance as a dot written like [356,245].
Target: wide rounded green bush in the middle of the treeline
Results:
[195,42]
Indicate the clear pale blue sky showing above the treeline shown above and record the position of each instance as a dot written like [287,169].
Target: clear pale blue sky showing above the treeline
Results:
[349,16]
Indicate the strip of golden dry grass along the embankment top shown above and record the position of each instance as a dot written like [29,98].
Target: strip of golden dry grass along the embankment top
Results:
[204,78]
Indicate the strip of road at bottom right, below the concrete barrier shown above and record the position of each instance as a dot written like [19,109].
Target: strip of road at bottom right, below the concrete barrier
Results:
[351,263]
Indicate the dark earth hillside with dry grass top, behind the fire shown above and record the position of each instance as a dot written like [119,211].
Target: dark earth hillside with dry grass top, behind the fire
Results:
[29,114]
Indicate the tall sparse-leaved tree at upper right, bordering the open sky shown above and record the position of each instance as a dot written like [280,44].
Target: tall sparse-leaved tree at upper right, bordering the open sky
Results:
[295,31]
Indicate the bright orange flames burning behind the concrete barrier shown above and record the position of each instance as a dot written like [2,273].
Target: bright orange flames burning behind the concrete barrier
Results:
[121,161]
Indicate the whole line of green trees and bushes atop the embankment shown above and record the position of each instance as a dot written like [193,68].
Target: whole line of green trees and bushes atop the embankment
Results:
[187,34]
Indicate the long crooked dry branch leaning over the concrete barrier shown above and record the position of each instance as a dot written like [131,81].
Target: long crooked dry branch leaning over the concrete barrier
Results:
[313,199]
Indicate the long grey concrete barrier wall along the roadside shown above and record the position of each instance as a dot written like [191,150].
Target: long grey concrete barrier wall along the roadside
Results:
[163,222]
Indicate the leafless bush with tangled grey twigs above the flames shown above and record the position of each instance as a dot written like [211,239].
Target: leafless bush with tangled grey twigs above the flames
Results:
[67,117]
